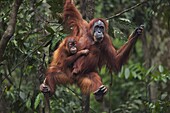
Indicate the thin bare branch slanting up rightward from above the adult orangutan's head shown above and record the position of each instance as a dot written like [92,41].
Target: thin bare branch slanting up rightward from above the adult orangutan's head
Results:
[126,10]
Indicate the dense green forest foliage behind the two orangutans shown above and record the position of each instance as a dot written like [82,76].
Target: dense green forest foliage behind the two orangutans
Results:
[140,87]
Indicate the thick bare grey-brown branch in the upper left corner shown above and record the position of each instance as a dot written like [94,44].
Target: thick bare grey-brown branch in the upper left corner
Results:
[10,29]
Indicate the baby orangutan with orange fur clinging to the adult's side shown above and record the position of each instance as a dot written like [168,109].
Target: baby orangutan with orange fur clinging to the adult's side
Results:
[60,69]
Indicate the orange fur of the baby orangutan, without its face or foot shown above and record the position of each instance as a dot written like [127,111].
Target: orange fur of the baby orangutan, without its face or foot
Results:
[59,72]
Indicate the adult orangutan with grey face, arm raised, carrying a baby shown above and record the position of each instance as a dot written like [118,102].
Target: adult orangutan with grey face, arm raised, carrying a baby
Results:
[94,36]
